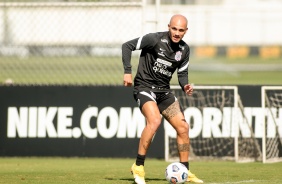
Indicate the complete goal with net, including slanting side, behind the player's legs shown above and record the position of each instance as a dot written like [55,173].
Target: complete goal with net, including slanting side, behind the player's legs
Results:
[218,126]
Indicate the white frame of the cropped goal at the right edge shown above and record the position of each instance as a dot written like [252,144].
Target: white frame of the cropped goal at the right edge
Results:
[265,106]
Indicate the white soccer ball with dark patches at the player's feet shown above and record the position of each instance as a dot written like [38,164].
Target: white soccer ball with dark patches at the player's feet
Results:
[176,173]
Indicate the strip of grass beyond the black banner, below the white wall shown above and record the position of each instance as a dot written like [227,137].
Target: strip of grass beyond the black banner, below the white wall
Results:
[109,70]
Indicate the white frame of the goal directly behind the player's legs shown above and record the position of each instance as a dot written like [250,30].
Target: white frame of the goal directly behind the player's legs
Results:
[236,99]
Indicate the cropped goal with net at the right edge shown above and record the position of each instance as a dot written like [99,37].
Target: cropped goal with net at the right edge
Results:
[272,137]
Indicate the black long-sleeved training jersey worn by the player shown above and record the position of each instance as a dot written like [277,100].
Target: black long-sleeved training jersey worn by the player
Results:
[159,59]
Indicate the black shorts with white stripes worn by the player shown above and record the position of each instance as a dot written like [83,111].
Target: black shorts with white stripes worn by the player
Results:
[163,99]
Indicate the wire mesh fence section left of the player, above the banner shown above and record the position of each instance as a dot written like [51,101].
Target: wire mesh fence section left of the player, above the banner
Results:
[66,43]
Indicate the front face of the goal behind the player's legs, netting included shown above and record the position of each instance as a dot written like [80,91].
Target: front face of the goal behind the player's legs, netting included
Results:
[208,103]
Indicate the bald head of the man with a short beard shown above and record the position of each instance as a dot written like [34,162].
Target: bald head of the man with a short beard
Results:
[177,27]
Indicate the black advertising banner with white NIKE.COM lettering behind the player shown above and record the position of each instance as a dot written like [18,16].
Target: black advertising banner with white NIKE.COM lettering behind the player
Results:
[105,121]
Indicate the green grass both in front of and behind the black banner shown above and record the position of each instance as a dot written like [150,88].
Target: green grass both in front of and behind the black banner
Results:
[109,71]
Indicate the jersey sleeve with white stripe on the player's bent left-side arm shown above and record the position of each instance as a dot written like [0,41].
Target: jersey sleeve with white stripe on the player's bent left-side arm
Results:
[143,42]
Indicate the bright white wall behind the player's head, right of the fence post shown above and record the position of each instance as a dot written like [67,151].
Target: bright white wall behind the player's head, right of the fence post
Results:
[229,25]
